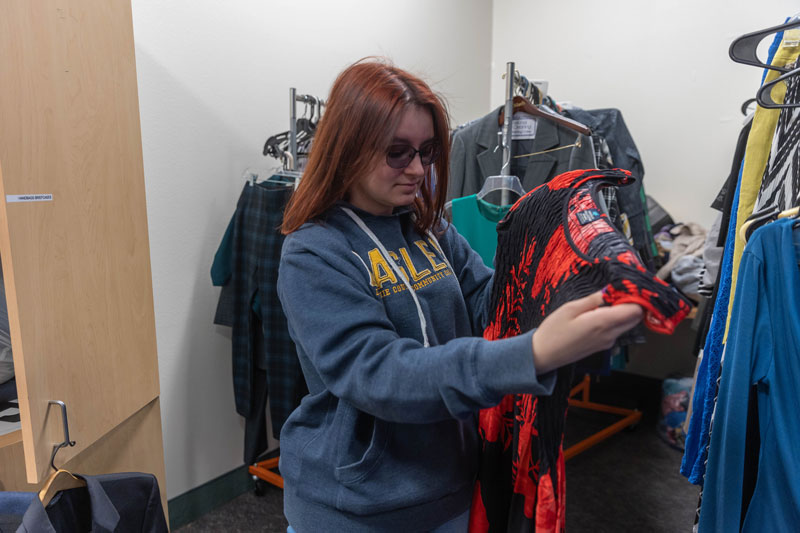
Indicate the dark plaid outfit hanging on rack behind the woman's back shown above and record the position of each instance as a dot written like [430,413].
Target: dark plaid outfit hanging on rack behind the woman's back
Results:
[264,357]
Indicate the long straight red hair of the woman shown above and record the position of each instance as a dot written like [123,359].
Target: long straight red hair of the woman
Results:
[363,111]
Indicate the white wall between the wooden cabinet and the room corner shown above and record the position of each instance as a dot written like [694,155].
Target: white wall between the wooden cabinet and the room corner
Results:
[214,79]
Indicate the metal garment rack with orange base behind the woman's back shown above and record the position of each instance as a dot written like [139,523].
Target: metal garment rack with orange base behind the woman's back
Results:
[265,470]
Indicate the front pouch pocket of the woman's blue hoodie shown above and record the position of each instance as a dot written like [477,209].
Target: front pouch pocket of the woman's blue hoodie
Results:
[361,442]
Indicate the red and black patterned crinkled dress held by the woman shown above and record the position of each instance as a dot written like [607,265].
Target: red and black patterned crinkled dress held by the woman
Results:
[555,245]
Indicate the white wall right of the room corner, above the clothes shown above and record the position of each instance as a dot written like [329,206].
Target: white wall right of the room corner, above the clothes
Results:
[664,64]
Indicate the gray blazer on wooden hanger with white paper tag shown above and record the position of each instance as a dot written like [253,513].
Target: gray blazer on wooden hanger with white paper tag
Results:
[475,155]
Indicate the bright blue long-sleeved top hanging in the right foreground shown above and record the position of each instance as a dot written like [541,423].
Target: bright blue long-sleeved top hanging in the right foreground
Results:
[762,365]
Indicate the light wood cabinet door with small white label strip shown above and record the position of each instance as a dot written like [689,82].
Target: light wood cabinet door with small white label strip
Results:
[73,222]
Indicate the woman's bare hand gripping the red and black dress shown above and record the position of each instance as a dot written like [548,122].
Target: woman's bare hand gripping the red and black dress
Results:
[580,328]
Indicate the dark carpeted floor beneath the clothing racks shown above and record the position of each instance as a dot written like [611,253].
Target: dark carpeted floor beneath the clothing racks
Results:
[629,482]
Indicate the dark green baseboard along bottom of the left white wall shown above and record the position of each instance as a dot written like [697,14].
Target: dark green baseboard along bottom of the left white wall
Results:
[193,504]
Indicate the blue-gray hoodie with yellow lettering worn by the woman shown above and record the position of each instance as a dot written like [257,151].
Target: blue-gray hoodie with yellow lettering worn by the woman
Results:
[386,439]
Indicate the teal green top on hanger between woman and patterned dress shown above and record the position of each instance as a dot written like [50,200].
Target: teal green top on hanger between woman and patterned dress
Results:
[476,220]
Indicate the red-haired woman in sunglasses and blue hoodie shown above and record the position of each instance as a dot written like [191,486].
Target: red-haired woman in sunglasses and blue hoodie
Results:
[387,304]
